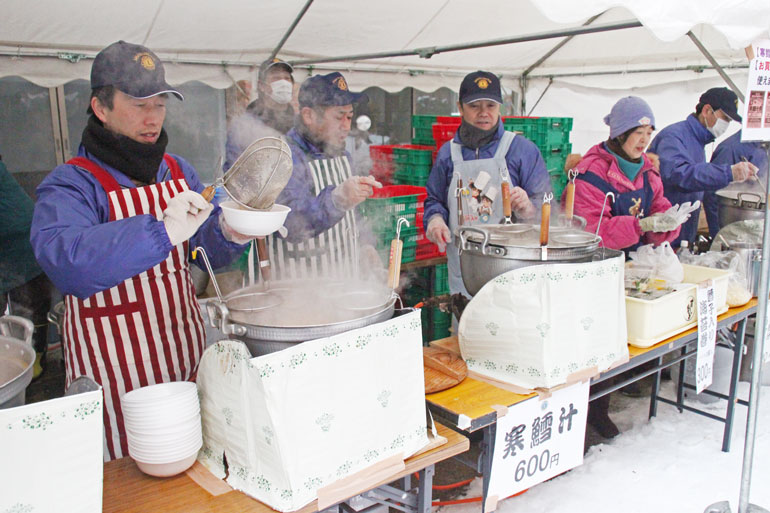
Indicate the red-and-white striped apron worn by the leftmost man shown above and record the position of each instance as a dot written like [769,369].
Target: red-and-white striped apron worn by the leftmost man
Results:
[143,331]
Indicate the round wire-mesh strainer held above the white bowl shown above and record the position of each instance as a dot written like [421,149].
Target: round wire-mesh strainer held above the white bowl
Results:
[259,174]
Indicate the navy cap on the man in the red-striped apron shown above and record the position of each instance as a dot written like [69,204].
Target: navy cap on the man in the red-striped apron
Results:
[133,69]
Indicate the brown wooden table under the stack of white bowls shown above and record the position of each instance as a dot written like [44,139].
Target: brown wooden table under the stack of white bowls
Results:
[127,489]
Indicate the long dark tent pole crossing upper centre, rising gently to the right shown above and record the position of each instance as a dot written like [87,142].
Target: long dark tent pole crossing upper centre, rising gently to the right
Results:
[427,53]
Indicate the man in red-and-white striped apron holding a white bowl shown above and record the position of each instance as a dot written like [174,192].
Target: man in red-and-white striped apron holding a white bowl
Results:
[114,227]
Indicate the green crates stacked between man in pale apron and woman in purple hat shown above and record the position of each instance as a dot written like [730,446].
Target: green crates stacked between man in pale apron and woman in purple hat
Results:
[551,136]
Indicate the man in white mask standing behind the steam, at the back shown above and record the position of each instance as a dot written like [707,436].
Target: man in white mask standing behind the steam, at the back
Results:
[271,114]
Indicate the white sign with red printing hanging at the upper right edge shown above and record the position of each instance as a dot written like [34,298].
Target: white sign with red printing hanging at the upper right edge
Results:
[756,112]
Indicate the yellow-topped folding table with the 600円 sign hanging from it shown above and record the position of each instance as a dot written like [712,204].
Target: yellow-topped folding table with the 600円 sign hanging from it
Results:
[469,406]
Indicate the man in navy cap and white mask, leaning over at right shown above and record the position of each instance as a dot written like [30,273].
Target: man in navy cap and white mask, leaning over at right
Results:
[681,148]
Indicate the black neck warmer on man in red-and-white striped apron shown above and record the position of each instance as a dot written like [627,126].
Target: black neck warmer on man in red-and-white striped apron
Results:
[136,160]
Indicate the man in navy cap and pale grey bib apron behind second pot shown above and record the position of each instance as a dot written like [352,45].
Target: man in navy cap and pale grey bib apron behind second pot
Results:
[482,155]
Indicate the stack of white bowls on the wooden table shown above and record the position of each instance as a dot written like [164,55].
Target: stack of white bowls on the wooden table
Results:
[163,426]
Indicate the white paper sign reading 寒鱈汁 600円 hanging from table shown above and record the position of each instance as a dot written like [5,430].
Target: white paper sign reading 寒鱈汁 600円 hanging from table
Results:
[537,440]
